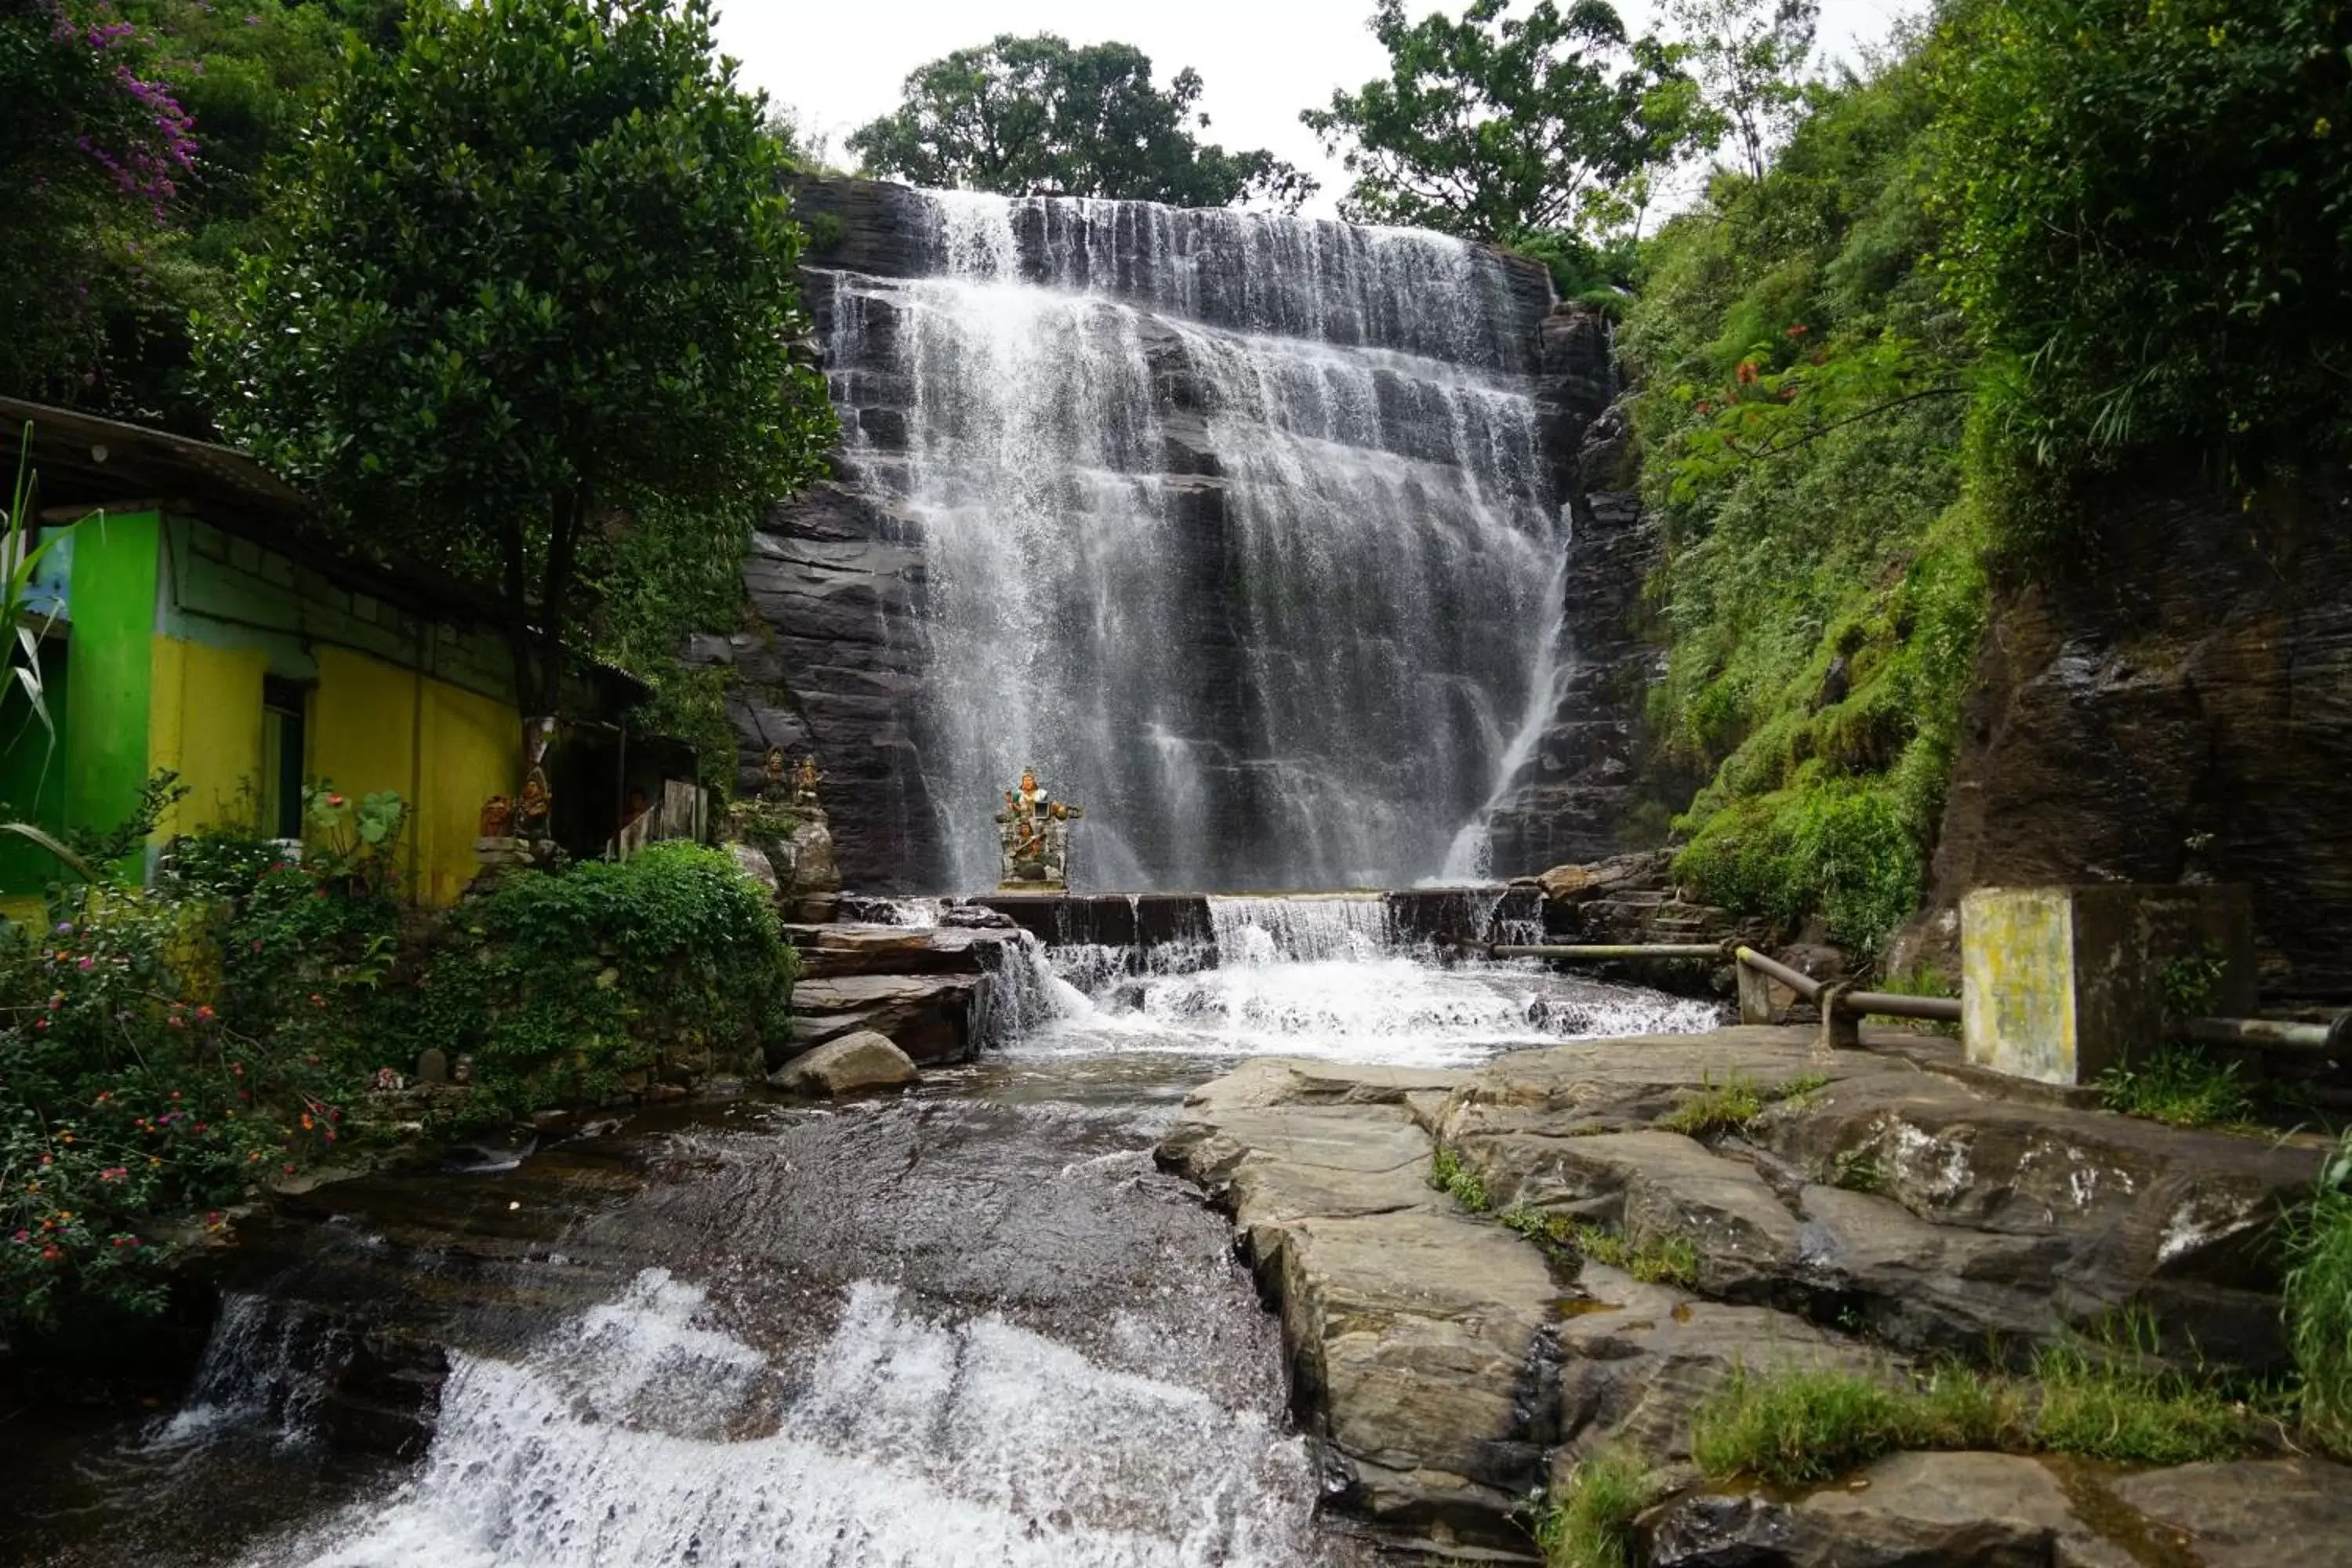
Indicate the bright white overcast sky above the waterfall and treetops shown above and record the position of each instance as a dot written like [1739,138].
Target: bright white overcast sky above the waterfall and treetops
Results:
[1262,60]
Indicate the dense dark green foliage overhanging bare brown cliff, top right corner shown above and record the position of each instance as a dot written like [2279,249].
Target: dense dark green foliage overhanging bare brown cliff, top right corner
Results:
[2151,220]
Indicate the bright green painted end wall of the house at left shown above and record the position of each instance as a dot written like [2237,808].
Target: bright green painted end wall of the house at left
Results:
[109,666]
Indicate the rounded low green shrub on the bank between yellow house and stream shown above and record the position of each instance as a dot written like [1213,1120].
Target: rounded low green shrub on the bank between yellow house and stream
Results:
[566,984]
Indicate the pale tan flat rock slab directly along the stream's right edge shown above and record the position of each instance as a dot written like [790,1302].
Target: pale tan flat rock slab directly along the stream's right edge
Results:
[1417,1332]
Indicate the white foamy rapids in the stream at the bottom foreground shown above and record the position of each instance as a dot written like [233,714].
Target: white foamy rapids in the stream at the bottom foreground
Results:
[648,1435]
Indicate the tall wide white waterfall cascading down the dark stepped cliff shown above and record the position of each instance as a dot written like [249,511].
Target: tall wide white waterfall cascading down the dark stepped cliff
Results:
[1238,530]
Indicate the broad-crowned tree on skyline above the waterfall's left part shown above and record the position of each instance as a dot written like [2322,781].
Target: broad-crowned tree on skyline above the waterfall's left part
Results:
[1036,114]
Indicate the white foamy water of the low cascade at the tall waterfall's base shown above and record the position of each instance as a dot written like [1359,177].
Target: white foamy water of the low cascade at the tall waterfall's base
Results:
[1328,979]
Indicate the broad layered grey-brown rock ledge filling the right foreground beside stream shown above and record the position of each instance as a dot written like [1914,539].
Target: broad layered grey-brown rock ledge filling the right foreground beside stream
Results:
[1892,1207]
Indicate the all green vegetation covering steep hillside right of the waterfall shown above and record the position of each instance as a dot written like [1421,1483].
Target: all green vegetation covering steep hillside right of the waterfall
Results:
[2033,243]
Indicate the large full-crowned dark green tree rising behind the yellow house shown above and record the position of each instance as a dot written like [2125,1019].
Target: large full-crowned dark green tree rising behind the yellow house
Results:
[535,269]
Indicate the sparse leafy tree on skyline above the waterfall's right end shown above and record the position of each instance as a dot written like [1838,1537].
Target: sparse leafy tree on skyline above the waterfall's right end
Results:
[1497,126]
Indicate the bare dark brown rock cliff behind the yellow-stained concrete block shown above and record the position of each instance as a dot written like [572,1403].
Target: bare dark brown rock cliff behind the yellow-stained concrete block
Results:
[2174,702]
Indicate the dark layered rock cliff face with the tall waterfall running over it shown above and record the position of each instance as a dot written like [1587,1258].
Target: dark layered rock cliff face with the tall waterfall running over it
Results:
[1304,495]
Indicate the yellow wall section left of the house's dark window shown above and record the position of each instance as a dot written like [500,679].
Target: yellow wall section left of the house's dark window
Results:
[206,725]
